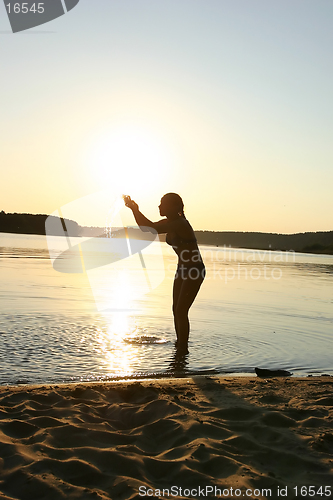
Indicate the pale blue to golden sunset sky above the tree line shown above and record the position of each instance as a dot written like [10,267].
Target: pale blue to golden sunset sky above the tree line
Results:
[226,102]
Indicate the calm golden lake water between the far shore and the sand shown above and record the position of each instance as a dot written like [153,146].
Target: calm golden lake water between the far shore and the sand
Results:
[267,309]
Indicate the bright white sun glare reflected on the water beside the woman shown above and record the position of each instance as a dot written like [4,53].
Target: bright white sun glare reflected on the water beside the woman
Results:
[118,291]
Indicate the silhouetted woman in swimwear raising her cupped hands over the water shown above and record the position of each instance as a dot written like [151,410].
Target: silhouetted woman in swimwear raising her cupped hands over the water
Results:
[190,271]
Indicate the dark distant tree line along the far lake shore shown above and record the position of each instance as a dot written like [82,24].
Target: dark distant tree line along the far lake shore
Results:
[320,242]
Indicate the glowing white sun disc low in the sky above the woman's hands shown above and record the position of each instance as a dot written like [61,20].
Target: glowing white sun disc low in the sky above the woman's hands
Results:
[132,159]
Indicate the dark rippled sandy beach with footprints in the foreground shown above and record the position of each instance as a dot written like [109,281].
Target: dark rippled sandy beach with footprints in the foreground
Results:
[216,437]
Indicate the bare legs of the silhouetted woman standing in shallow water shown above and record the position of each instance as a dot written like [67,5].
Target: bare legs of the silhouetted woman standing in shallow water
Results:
[185,291]
